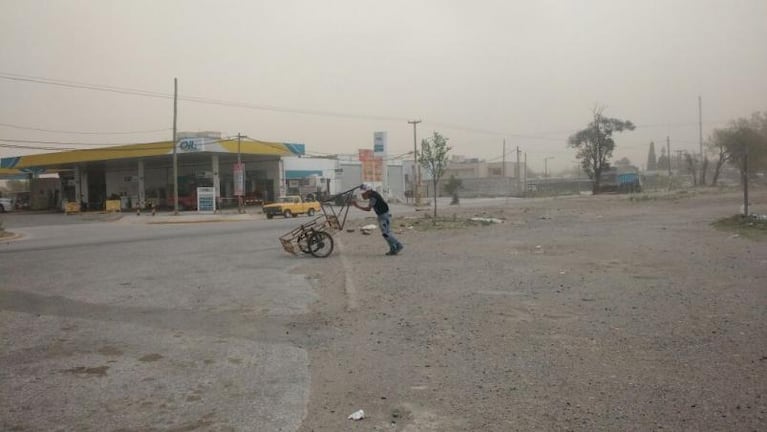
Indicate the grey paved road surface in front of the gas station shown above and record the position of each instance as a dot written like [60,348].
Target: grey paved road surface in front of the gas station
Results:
[119,326]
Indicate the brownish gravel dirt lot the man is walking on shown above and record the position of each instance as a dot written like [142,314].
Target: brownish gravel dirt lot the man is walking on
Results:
[576,314]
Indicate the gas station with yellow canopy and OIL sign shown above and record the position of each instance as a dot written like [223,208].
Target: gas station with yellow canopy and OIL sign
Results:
[140,176]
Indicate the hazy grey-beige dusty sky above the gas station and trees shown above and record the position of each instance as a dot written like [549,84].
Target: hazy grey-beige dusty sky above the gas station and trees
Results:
[475,71]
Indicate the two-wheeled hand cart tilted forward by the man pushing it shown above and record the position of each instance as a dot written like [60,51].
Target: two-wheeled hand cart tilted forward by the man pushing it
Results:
[316,236]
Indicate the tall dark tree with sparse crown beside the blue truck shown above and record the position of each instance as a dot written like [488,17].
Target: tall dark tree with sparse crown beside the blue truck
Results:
[595,144]
